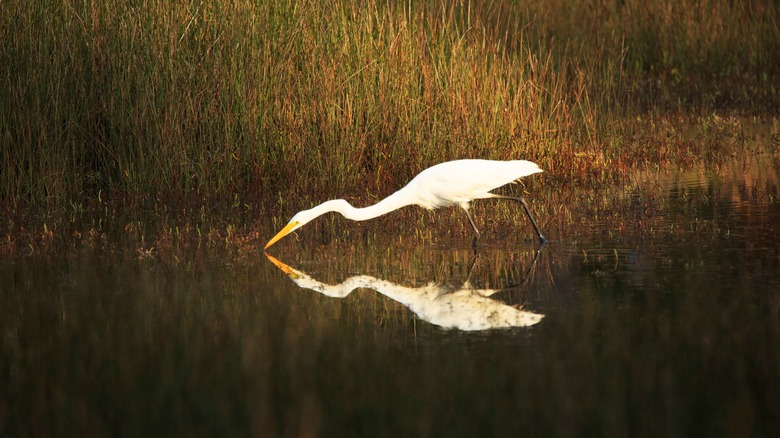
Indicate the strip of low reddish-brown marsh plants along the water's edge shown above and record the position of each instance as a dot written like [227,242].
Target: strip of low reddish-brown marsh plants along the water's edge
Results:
[739,157]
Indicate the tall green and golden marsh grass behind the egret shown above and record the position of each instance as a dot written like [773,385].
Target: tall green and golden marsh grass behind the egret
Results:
[192,102]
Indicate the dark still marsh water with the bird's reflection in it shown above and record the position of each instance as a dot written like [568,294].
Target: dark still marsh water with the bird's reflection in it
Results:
[663,322]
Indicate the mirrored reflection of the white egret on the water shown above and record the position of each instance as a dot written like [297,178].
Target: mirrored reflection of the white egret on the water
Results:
[463,308]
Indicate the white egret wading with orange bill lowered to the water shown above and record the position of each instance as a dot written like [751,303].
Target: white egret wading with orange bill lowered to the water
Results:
[443,185]
